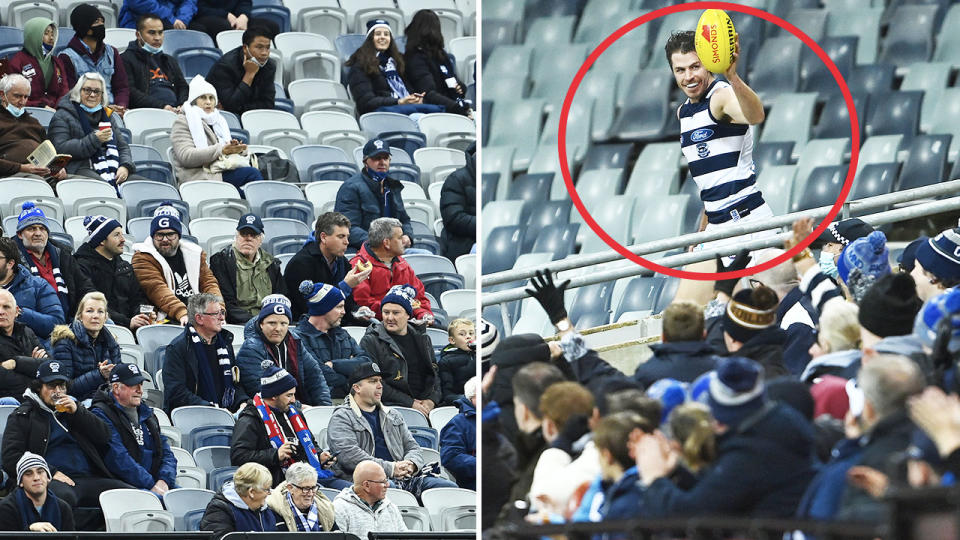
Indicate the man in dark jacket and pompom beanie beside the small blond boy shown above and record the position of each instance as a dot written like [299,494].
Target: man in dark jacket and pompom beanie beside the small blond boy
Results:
[404,354]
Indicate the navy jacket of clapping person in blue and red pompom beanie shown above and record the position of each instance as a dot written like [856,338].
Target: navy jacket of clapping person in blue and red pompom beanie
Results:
[762,469]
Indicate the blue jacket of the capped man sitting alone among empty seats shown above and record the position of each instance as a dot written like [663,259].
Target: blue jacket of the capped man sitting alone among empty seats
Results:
[359,199]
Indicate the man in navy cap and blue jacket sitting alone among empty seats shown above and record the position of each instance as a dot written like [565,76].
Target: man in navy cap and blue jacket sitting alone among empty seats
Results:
[372,194]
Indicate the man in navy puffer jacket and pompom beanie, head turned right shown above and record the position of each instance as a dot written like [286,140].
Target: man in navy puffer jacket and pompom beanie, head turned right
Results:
[322,334]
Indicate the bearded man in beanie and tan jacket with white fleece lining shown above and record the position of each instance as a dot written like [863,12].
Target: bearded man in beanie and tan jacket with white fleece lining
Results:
[170,270]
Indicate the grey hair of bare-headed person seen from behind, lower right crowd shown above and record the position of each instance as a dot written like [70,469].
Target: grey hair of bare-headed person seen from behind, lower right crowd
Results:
[888,380]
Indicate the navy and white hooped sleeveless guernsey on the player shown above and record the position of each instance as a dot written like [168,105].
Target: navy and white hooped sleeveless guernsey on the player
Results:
[720,157]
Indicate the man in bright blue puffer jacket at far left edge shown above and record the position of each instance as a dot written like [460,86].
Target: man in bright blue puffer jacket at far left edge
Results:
[37,304]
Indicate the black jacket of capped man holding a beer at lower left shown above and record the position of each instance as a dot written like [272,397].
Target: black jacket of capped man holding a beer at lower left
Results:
[28,430]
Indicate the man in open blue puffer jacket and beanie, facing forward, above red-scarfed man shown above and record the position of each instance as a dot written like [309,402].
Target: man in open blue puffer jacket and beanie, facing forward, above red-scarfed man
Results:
[274,343]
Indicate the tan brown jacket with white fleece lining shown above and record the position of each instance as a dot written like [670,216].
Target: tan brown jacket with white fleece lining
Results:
[156,277]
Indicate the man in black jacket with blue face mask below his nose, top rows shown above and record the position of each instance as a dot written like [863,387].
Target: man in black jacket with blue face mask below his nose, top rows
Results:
[155,79]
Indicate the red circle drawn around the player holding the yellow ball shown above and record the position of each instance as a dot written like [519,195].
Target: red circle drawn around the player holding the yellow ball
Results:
[708,276]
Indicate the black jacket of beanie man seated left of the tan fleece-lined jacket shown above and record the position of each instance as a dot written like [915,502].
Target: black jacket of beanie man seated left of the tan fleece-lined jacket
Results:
[116,280]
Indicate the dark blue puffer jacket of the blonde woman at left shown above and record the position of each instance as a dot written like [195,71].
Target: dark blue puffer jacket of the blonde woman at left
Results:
[80,356]
